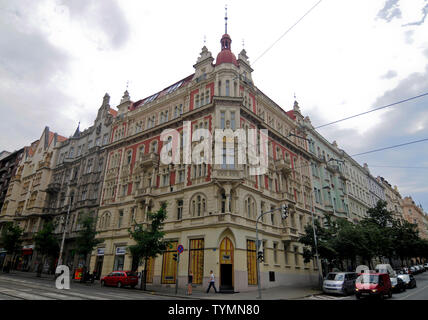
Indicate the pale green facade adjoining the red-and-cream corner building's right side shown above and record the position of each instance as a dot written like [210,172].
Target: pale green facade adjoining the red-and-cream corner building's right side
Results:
[328,175]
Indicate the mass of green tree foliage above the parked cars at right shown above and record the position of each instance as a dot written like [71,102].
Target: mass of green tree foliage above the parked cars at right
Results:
[377,235]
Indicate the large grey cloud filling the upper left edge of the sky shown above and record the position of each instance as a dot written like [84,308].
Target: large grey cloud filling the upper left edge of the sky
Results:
[31,73]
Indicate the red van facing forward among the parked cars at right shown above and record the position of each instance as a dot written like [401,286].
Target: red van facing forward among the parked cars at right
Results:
[373,284]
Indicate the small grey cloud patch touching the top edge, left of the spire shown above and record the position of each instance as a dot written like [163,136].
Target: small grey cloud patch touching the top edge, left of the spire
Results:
[106,16]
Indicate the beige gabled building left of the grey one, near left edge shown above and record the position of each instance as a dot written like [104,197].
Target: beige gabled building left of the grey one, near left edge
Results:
[27,197]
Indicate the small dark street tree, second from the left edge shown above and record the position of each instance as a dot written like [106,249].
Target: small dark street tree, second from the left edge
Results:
[46,244]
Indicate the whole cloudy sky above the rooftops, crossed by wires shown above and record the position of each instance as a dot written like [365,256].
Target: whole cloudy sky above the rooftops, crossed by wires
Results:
[58,58]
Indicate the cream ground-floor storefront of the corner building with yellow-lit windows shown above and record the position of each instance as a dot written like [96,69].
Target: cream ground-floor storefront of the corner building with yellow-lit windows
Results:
[229,252]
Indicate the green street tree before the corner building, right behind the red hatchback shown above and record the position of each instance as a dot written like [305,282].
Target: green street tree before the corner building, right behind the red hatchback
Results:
[150,240]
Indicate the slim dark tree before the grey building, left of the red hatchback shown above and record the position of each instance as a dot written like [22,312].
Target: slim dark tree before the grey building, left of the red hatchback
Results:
[86,241]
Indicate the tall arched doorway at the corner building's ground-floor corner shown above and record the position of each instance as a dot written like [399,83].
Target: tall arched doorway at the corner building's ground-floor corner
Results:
[226,265]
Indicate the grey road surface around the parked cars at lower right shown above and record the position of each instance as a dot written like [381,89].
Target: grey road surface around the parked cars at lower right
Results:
[418,293]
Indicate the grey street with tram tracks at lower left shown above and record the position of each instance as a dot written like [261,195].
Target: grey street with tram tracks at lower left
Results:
[24,288]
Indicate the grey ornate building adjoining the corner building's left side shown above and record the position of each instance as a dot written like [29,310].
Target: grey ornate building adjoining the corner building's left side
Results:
[77,178]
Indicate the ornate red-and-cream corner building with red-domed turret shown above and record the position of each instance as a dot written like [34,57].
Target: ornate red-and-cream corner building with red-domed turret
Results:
[212,209]
